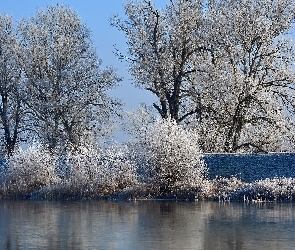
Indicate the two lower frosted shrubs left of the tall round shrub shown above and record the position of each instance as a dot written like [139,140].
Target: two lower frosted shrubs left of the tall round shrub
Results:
[92,173]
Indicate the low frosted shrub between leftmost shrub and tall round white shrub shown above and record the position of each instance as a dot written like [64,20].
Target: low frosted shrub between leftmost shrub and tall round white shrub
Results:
[100,172]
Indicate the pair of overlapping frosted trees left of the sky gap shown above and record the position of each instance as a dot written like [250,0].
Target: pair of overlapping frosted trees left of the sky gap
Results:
[50,69]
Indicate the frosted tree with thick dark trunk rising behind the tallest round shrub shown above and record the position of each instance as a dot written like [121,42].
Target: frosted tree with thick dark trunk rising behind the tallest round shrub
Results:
[161,47]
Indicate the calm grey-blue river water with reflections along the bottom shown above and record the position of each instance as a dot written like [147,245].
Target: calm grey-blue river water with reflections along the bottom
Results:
[145,225]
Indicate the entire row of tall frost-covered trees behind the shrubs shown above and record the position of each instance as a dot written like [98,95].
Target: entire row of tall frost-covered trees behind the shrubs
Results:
[223,67]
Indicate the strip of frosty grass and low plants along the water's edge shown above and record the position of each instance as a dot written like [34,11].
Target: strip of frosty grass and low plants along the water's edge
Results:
[218,189]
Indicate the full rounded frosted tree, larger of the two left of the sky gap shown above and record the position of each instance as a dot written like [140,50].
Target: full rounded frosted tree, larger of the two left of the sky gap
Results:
[66,87]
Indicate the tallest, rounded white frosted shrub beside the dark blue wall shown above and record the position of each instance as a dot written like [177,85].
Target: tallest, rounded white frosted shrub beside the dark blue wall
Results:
[172,156]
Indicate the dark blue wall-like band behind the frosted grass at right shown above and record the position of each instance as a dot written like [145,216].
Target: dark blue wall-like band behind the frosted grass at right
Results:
[251,167]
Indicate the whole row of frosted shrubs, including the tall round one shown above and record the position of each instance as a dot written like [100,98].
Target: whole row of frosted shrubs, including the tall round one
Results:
[165,160]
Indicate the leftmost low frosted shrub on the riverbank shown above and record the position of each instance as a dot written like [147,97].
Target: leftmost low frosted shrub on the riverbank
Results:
[28,171]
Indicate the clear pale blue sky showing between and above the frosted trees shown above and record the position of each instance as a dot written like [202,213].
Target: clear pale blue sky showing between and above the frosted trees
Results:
[95,14]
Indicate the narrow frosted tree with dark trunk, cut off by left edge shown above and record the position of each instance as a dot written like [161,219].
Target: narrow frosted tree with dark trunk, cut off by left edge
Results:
[11,108]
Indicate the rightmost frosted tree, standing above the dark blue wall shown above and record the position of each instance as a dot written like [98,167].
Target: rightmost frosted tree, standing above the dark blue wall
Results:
[250,76]
